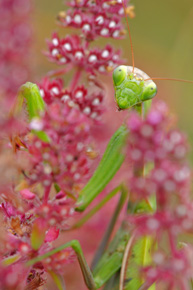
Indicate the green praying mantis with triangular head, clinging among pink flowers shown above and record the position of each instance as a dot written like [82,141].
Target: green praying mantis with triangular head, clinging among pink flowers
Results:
[133,88]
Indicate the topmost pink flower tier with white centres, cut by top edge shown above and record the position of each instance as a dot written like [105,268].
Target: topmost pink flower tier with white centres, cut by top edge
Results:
[100,18]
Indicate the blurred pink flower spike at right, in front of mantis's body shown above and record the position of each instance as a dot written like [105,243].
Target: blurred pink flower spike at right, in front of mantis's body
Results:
[154,144]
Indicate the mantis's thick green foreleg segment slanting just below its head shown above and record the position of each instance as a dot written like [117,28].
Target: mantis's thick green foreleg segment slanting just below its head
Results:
[108,166]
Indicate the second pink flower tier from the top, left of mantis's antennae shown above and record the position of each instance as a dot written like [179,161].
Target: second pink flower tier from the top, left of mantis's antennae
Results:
[71,51]
